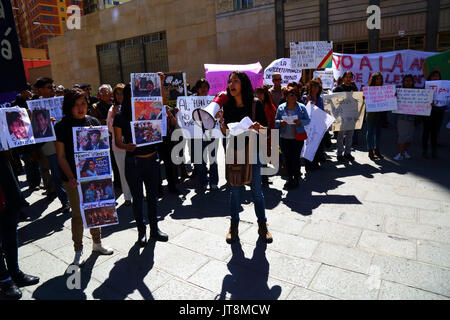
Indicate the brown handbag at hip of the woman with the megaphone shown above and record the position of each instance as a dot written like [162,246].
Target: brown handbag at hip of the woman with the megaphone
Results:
[240,174]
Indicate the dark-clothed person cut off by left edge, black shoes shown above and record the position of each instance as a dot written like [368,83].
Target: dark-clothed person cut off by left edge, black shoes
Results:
[11,277]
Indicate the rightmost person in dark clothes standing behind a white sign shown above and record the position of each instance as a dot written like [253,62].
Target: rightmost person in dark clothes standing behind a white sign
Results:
[432,124]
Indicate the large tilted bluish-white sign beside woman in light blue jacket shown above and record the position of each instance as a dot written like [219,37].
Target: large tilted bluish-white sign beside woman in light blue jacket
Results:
[320,122]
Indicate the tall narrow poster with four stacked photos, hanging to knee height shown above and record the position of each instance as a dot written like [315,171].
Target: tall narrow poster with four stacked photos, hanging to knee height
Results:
[94,176]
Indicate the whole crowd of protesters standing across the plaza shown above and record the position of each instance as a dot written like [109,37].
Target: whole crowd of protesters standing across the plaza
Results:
[51,166]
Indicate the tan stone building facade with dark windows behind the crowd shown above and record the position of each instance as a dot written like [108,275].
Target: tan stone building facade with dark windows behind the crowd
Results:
[181,35]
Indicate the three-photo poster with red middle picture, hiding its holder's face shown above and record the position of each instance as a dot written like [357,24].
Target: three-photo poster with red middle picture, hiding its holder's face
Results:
[149,124]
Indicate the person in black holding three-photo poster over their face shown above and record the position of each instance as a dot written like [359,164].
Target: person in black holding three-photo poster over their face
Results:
[141,166]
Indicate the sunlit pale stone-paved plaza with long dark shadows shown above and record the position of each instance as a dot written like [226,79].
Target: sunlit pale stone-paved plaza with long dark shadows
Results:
[350,231]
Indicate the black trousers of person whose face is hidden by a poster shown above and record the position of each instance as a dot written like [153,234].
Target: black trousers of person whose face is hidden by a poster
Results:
[137,172]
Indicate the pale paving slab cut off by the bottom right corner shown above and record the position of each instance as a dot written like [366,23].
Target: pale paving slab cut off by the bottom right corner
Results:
[396,291]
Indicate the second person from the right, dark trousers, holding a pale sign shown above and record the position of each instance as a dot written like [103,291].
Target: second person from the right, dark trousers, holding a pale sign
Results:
[405,125]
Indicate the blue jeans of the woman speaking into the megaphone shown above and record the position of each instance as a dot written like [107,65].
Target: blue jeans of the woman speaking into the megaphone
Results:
[258,197]
